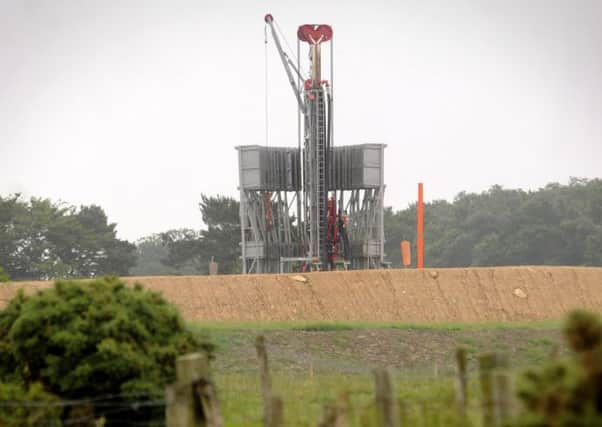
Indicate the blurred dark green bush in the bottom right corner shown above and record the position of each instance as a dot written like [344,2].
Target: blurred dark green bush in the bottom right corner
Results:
[567,392]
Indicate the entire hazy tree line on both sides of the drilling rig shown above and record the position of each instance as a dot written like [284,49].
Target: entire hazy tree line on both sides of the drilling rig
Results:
[554,225]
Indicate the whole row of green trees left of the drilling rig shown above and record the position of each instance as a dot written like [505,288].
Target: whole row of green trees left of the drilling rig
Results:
[41,239]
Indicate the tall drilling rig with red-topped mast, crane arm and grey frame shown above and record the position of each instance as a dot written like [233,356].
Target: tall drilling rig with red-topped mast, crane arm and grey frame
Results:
[315,206]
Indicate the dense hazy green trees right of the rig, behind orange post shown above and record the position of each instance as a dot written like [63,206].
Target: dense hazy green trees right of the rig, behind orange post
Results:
[555,225]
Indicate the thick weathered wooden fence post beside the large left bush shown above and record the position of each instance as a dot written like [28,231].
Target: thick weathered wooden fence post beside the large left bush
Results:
[180,409]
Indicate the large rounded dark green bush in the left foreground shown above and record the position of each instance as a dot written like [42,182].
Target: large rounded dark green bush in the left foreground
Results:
[86,339]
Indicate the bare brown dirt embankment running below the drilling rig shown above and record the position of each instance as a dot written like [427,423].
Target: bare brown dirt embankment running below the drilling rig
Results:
[430,295]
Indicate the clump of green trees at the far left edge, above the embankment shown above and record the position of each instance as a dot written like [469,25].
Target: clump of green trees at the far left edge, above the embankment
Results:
[40,239]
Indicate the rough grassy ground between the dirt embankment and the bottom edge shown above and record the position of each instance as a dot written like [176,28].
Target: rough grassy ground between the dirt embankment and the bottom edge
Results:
[327,362]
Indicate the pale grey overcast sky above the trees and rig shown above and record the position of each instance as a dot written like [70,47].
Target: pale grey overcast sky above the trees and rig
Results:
[137,105]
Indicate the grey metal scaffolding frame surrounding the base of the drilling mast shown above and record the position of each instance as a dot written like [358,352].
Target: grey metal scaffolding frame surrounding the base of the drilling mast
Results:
[274,209]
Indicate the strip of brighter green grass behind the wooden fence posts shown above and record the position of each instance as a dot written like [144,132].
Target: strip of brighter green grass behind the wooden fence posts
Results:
[426,402]
